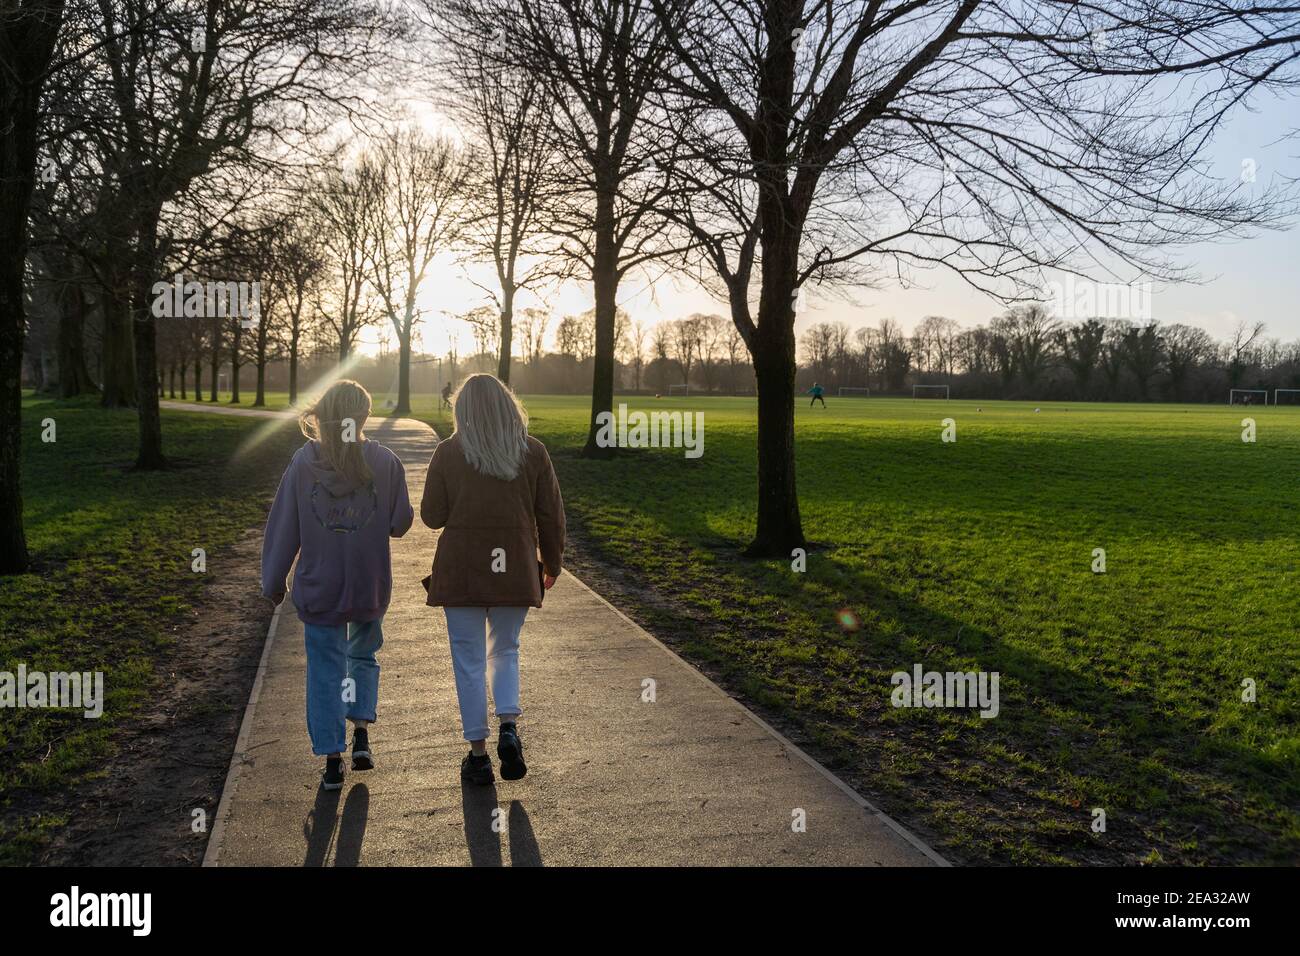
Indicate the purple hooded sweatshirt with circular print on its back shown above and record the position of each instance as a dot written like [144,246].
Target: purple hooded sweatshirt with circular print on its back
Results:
[345,572]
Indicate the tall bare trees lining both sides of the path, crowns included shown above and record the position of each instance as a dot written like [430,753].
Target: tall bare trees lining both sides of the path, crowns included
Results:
[759,148]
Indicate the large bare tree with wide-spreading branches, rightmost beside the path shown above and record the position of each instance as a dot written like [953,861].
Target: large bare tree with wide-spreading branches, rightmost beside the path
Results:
[994,142]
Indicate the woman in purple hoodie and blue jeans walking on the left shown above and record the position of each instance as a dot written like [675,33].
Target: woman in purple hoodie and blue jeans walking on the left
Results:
[340,501]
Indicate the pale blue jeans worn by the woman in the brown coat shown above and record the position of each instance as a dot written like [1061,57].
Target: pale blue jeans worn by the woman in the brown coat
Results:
[482,659]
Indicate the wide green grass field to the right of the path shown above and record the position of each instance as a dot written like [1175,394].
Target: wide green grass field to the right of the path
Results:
[1120,691]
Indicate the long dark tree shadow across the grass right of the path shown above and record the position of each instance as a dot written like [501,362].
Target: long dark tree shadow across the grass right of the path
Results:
[1124,747]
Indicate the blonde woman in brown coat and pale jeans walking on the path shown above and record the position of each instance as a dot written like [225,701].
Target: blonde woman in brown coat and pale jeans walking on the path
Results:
[493,492]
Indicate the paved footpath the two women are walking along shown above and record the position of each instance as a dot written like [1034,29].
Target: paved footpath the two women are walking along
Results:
[613,780]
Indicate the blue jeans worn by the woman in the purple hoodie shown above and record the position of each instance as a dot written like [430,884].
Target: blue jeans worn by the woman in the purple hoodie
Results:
[343,681]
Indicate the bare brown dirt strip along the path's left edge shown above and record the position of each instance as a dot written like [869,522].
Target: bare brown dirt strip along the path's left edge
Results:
[174,754]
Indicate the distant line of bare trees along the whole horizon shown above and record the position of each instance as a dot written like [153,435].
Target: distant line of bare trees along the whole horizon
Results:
[1024,354]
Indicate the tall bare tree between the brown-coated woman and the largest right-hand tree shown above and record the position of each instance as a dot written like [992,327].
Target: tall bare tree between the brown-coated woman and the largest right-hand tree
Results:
[600,63]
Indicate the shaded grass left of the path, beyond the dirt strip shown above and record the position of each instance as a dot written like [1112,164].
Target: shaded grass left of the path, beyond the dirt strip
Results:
[112,553]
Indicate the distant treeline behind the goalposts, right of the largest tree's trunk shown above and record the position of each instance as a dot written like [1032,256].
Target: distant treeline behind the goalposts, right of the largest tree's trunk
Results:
[1028,354]
